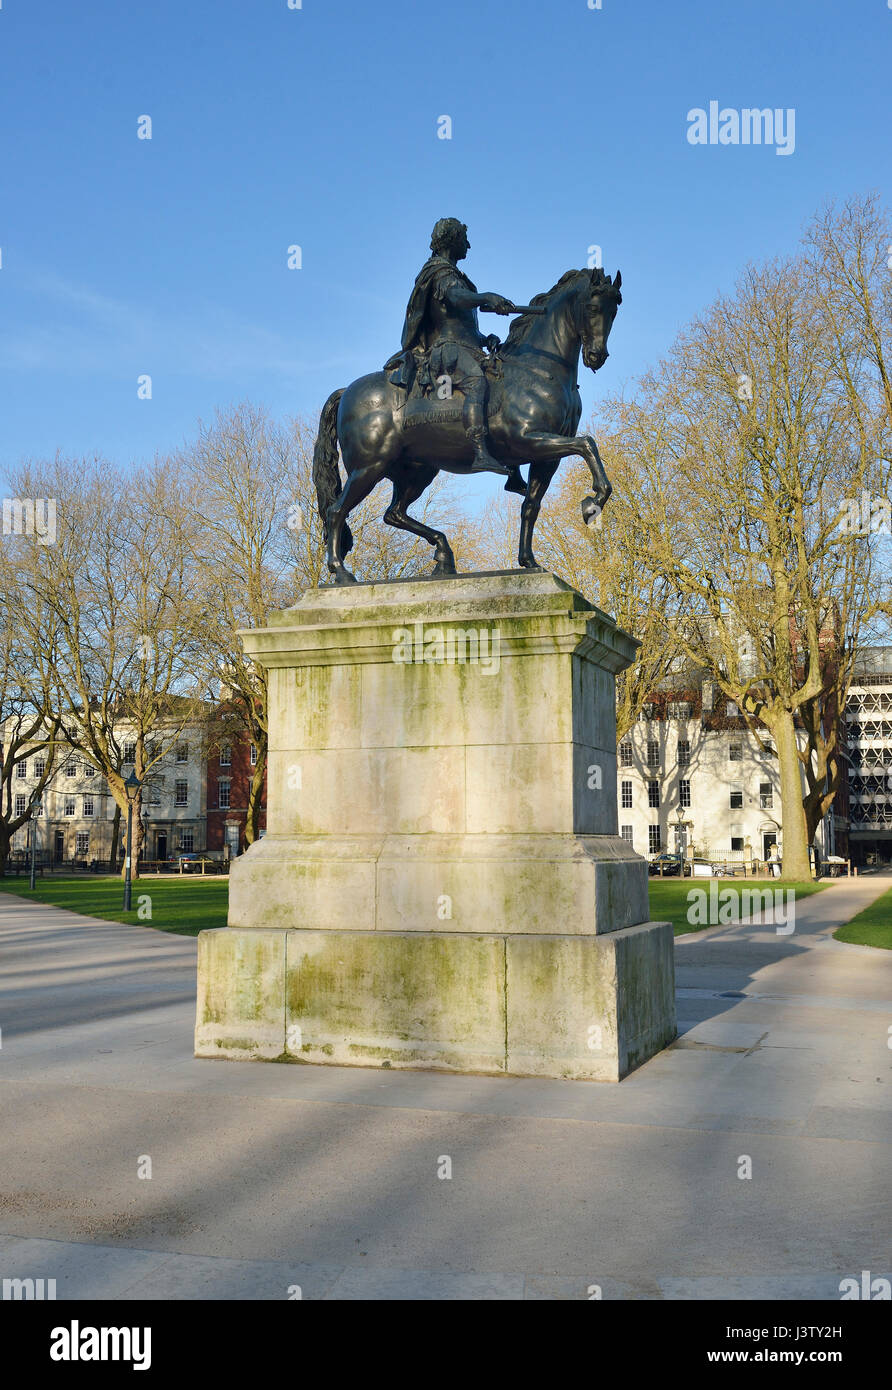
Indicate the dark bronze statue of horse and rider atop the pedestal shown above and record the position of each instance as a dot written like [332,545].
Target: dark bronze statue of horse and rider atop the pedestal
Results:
[520,401]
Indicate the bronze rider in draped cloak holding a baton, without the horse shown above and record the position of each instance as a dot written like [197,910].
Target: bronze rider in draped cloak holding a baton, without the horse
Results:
[441,320]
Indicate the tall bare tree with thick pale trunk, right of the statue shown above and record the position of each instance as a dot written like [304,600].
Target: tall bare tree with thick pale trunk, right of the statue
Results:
[750,445]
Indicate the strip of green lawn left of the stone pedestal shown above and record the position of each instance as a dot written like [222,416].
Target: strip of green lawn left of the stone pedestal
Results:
[185,904]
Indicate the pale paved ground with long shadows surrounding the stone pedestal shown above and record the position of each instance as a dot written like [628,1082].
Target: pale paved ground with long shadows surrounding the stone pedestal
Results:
[269,1178]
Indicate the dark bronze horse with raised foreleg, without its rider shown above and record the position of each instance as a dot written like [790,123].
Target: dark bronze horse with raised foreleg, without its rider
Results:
[534,414]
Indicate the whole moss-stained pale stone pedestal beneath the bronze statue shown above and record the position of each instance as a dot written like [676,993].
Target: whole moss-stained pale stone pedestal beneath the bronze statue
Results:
[441,883]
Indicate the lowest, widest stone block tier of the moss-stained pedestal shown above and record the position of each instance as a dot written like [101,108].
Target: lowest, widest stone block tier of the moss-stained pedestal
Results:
[581,1008]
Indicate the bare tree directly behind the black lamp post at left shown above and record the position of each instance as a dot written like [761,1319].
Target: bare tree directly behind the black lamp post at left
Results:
[119,590]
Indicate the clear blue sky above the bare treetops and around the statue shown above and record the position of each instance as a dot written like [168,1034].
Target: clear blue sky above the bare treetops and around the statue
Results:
[319,127]
